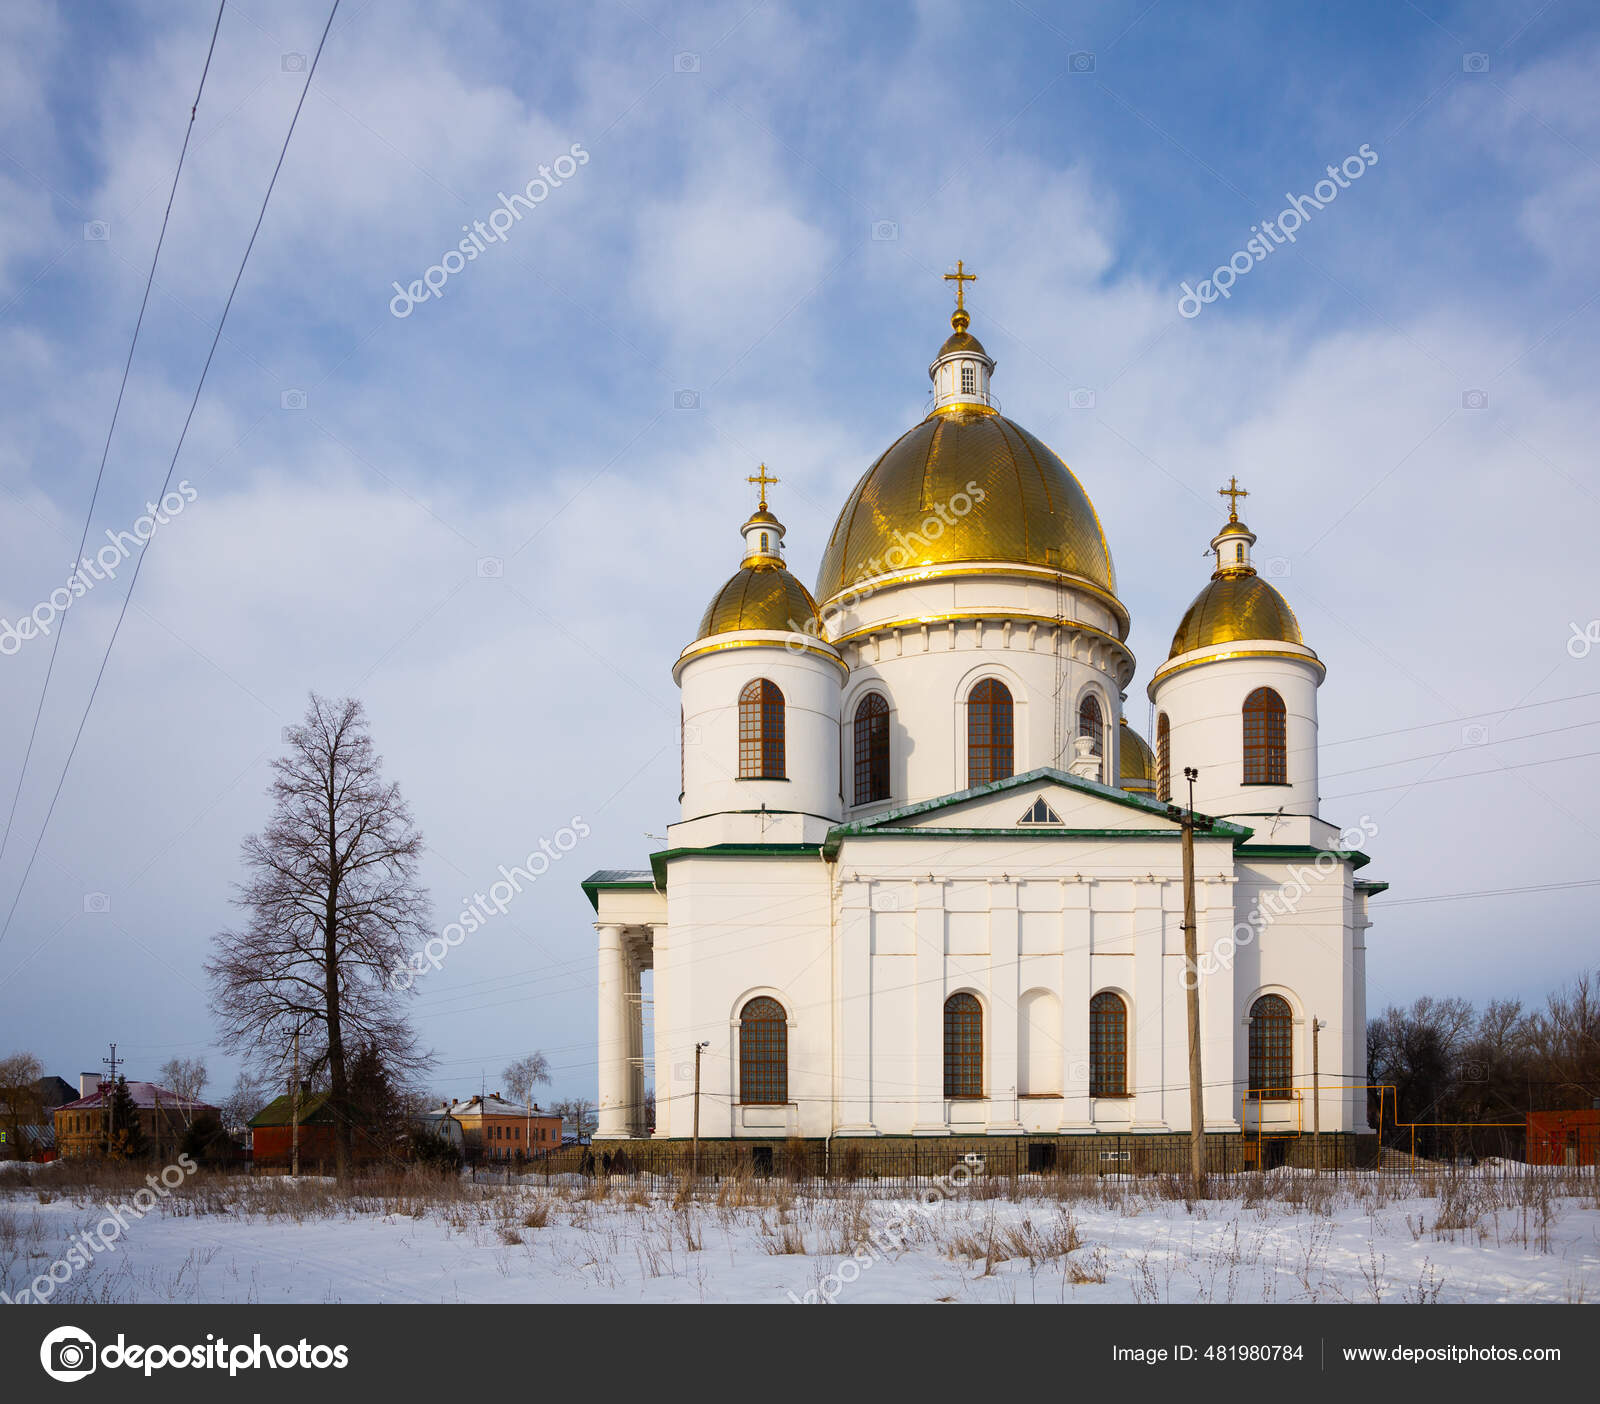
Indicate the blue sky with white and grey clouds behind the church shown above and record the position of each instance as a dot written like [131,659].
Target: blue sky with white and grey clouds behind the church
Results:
[497,524]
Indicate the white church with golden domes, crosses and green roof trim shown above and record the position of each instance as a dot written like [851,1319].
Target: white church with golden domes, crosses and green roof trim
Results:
[927,880]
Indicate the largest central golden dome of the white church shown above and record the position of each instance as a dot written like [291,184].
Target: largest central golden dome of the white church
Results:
[1033,509]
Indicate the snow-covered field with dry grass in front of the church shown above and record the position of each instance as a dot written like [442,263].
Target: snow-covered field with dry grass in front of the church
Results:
[1276,1238]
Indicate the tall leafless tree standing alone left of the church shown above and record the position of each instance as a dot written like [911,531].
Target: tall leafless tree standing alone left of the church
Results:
[334,912]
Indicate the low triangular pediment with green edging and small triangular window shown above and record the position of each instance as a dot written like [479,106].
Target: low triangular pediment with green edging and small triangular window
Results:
[1036,804]
